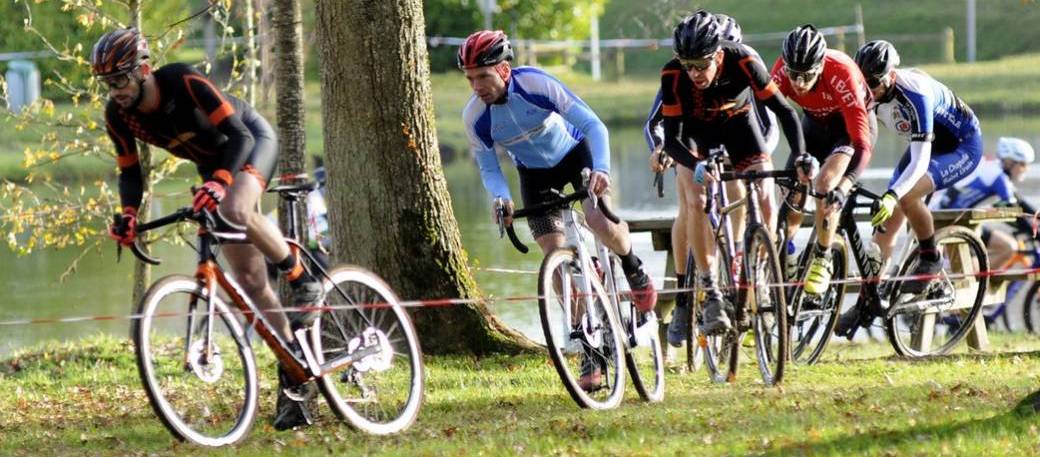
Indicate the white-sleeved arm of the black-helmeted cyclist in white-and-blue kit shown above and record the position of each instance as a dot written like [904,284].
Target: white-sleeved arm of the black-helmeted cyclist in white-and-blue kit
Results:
[922,106]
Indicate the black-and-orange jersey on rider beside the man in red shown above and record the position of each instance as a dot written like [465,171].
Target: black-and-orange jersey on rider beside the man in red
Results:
[741,77]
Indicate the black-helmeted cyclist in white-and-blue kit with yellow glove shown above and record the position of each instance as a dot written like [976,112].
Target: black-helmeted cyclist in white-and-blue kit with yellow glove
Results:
[946,146]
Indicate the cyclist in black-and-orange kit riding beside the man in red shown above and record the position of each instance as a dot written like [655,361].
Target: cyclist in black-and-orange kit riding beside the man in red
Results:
[707,93]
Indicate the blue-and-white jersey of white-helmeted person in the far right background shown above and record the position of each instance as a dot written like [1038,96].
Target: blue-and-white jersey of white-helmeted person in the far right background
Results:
[989,185]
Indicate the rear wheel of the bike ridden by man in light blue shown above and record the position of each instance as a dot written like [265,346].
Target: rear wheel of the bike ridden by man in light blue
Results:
[645,358]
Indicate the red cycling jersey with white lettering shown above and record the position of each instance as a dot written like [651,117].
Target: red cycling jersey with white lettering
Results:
[840,91]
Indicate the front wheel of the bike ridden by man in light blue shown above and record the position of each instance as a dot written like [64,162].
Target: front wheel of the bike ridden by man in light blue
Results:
[583,334]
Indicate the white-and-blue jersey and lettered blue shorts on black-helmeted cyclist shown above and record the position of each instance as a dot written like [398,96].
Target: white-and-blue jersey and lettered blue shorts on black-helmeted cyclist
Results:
[927,113]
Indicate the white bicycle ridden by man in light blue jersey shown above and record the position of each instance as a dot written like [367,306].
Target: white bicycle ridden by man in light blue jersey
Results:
[589,319]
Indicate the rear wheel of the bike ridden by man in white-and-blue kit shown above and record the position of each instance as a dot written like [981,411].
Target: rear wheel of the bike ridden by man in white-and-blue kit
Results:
[898,325]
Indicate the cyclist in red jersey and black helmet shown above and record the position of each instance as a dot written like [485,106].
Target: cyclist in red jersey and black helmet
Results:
[840,133]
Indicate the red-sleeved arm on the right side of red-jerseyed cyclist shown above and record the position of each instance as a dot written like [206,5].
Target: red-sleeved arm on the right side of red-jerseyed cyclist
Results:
[852,92]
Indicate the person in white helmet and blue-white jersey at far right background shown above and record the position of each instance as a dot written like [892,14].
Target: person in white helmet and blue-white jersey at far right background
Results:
[994,184]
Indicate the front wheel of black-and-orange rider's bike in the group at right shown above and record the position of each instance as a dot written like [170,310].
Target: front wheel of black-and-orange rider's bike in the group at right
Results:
[766,304]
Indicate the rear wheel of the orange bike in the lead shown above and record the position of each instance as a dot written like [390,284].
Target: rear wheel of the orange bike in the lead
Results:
[381,393]
